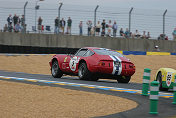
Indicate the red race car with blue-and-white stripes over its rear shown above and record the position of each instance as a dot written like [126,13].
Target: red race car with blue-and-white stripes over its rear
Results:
[91,63]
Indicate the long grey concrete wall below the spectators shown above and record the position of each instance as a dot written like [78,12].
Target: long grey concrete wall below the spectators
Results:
[138,46]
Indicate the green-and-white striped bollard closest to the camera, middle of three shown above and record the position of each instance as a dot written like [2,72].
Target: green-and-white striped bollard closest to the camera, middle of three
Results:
[154,89]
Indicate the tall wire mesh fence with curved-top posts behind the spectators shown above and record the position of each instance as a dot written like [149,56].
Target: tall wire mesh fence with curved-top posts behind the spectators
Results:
[154,21]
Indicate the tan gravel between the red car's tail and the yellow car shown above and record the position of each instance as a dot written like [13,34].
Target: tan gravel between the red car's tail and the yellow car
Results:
[150,61]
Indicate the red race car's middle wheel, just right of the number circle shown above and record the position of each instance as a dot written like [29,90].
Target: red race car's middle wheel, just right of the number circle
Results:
[85,74]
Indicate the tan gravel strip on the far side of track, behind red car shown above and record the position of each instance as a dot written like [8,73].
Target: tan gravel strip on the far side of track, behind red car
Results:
[40,64]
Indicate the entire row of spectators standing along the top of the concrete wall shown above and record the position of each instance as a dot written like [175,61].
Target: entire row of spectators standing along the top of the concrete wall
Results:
[17,24]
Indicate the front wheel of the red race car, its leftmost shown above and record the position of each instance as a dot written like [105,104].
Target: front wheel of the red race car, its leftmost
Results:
[55,70]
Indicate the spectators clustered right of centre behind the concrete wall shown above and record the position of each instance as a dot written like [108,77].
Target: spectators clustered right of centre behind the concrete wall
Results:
[110,29]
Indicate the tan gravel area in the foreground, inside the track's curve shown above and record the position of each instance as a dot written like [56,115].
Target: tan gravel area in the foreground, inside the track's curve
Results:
[19,100]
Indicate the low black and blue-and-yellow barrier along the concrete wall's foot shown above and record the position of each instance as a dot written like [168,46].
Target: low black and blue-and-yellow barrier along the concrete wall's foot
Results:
[61,50]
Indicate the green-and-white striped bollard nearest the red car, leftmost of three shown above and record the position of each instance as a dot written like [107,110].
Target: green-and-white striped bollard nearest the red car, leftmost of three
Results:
[146,80]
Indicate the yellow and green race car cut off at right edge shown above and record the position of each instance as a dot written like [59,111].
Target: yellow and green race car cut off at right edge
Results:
[165,76]
